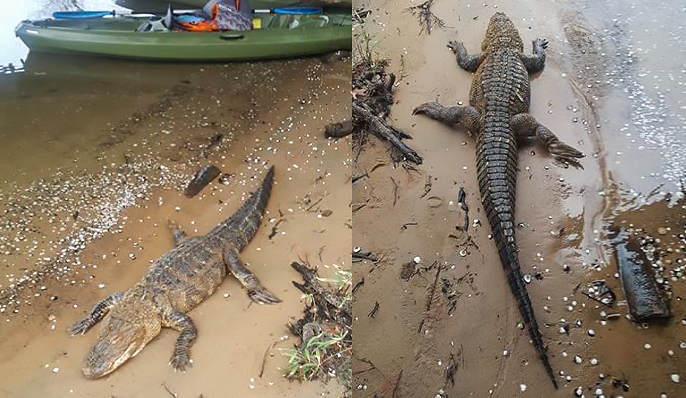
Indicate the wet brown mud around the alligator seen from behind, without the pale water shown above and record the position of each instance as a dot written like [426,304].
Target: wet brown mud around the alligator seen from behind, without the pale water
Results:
[447,327]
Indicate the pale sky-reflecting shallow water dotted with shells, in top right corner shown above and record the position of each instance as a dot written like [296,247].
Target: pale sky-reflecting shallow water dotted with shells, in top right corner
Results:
[636,71]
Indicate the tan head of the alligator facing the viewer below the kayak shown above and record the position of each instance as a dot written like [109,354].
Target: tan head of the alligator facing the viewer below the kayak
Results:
[127,330]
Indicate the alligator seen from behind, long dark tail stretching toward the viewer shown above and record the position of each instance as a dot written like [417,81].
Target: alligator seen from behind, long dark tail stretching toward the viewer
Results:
[497,116]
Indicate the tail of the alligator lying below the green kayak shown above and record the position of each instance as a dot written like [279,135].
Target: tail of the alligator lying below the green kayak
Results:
[241,227]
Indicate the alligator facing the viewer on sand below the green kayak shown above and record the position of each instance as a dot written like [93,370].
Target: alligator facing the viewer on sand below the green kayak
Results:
[175,284]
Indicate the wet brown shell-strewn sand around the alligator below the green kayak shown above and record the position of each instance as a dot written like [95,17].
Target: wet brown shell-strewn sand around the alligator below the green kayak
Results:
[137,147]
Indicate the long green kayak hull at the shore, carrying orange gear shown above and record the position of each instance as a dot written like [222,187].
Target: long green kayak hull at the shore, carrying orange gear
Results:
[278,36]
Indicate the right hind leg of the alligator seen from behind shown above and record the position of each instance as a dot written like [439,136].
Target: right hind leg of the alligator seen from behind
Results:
[526,126]
